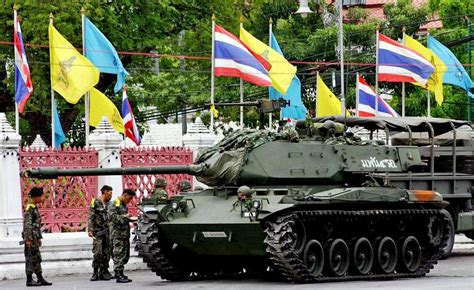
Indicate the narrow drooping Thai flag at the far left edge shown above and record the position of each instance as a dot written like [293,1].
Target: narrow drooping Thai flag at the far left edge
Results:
[23,85]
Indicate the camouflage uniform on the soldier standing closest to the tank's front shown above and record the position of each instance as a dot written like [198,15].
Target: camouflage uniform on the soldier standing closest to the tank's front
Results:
[119,225]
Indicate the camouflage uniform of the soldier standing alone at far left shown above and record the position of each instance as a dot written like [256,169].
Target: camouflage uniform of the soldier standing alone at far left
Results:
[32,232]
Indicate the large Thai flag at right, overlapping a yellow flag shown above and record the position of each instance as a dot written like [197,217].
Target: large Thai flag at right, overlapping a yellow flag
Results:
[398,63]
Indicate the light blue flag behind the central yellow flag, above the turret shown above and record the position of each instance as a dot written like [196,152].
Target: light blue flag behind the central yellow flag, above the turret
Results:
[296,110]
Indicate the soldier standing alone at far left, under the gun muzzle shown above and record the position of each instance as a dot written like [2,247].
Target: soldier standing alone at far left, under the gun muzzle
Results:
[32,237]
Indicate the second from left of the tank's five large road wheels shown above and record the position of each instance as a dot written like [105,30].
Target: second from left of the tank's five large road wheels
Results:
[338,257]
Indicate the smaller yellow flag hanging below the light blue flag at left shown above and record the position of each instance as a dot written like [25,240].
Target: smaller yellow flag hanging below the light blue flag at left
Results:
[101,106]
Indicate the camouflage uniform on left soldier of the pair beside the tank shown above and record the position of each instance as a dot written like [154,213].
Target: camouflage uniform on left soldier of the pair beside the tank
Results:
[98,225]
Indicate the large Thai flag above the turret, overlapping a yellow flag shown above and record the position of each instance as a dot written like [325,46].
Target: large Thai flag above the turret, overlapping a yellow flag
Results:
[233,59]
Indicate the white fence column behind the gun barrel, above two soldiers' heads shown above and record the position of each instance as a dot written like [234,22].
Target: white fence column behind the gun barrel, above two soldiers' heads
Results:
[107,143]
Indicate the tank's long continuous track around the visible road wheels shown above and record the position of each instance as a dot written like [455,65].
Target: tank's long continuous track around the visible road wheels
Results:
[284,260]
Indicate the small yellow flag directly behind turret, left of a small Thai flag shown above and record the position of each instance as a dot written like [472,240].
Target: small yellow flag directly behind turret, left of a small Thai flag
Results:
[327,104]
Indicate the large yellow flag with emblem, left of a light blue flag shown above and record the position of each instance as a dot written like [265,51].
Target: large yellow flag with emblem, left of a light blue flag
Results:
[72,74]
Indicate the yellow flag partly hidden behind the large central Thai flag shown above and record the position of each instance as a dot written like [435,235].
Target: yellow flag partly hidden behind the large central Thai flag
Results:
[281,72]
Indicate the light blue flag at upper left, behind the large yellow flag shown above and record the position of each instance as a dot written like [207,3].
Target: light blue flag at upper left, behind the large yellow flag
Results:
[102,54]
